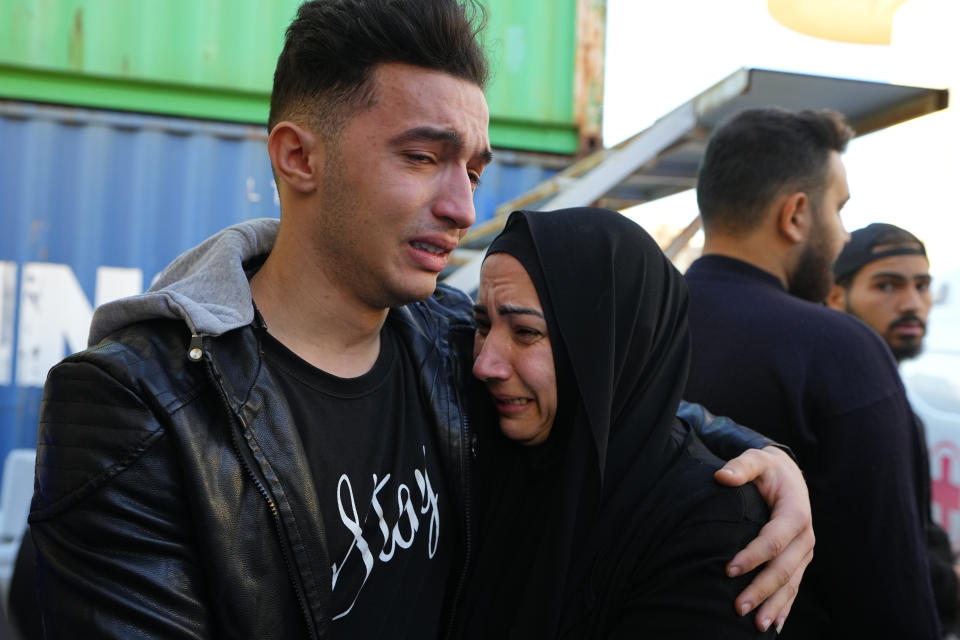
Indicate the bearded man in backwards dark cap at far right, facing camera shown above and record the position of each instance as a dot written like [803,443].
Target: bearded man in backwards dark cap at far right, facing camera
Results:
[883,277]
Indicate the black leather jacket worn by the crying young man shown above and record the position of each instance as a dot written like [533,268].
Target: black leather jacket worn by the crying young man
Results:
[172,496]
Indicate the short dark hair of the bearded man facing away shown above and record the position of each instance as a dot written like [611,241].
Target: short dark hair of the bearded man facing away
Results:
[758,154]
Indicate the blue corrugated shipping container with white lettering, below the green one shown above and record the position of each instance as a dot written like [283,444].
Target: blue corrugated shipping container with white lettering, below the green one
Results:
[93,204]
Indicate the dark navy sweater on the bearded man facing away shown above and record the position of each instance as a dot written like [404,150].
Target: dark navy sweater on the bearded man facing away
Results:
[823,383]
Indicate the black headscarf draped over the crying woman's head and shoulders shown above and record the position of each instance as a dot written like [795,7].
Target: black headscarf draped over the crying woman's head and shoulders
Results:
[562,517]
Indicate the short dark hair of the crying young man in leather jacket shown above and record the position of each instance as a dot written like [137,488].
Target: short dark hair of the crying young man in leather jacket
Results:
[332,47]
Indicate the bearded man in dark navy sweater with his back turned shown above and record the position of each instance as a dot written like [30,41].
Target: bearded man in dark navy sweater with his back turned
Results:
[770,190]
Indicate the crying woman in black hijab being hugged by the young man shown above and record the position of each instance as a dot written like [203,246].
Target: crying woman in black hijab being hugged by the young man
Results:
[609,522]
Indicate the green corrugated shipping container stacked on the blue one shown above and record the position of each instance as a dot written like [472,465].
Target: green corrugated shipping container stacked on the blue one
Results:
[215,59]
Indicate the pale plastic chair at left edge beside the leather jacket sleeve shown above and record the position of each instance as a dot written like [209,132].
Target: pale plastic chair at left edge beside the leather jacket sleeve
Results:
[16,491]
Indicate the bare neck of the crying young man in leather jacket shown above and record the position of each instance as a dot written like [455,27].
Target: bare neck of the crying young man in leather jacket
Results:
[313,317]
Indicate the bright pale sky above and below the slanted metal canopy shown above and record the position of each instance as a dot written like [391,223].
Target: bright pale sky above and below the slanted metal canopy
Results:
[662,53]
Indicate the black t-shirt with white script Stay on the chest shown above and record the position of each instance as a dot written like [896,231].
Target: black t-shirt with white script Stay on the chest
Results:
[370,446]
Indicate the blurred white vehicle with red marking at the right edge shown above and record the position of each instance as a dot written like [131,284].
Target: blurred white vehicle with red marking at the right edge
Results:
[933,386]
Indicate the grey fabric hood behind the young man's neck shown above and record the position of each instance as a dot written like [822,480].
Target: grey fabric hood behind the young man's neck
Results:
[206,286]
